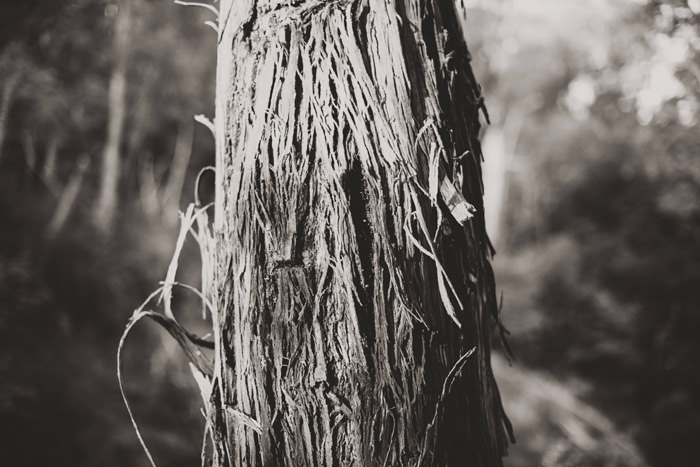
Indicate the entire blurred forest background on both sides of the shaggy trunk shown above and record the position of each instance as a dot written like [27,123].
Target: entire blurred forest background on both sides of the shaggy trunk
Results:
[592,183]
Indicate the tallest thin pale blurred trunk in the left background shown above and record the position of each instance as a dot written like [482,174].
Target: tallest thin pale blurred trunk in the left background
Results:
[106,205]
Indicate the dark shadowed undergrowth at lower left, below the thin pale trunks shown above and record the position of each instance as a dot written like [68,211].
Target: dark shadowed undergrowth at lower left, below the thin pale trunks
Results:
[62,308]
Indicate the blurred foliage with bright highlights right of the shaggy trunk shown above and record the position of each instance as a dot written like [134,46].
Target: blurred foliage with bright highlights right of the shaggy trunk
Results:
[600,244]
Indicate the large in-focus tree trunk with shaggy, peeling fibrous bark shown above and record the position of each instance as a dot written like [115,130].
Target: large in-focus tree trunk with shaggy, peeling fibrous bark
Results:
[348,287]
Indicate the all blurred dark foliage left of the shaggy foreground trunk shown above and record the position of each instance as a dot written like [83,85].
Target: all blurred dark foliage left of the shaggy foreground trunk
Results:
[64,301]
